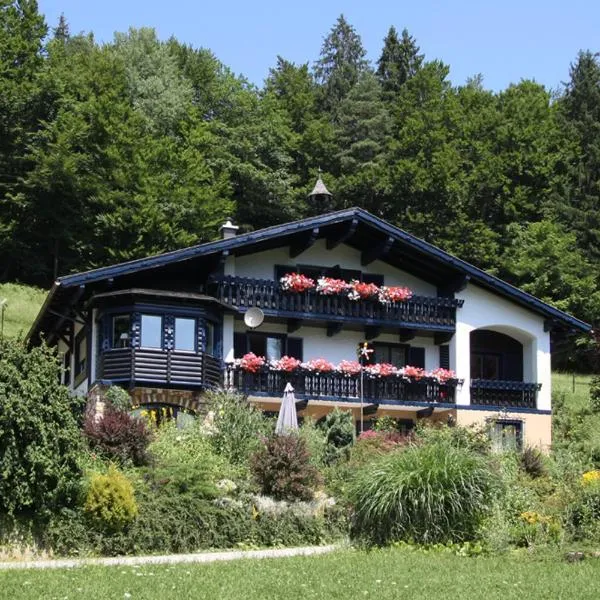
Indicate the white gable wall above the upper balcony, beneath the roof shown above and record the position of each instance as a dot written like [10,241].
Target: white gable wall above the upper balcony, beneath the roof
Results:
[260,265]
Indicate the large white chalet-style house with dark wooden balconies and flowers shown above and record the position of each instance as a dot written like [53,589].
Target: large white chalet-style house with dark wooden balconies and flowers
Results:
[168,327]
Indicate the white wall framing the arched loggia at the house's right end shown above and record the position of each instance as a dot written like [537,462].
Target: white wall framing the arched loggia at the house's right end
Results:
[485,310]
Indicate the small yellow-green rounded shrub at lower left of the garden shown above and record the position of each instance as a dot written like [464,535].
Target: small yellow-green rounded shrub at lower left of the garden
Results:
[110,501]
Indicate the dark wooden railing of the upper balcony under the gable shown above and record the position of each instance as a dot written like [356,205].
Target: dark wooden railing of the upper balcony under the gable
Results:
[421,312]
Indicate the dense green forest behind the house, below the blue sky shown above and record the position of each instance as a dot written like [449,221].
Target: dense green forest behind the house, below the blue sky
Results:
[114,151]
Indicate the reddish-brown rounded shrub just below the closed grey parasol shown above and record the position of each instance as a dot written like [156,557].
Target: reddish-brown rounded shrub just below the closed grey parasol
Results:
[282,468]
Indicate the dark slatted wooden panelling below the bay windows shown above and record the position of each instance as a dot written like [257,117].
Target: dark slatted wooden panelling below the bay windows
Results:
[160,367]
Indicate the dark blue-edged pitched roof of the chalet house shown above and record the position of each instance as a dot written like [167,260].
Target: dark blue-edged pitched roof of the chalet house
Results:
[416,249]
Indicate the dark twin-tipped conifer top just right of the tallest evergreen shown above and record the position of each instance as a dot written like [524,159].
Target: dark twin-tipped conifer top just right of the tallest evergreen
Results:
[399,61]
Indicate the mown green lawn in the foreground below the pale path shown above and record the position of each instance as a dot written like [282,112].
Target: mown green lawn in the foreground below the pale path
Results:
[343,574]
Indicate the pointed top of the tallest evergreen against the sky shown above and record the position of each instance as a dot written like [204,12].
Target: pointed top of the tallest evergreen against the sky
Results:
[341,63]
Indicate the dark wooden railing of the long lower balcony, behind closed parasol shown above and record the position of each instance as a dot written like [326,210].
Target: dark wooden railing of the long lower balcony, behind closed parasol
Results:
[336,386]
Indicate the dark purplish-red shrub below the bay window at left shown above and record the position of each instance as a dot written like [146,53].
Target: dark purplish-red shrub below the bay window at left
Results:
[118,436]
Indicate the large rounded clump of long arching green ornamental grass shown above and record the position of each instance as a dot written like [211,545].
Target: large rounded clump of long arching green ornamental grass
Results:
[432,493]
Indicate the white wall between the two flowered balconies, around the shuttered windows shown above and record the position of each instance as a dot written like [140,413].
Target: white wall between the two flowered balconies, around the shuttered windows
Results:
[343,345]
